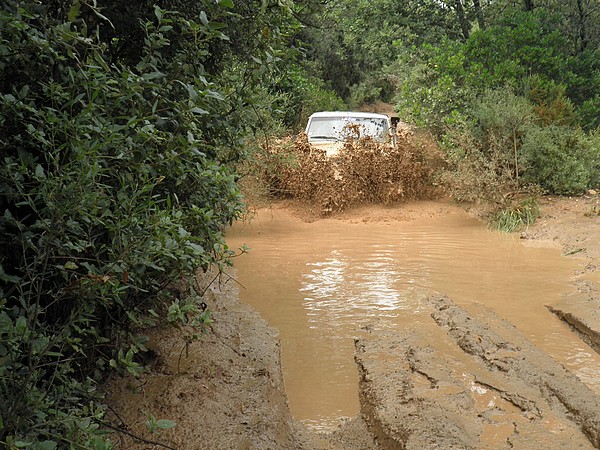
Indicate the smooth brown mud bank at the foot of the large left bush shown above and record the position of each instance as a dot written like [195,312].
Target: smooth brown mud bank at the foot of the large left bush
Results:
[224,391]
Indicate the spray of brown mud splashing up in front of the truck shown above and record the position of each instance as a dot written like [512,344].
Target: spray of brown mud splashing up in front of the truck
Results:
[364,172]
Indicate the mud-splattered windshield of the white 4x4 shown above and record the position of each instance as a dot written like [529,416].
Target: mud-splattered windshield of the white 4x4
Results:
[343,128]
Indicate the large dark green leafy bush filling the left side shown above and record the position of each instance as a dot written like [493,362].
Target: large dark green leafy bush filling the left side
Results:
[110,194]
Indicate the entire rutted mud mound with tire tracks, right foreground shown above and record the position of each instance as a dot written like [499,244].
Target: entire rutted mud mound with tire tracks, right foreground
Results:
[474,382]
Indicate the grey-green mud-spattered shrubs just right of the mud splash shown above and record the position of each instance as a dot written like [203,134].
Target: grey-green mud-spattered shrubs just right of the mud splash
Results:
[506,147]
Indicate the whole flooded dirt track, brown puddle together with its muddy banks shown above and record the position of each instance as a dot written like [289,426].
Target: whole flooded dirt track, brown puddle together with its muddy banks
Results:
[474,369]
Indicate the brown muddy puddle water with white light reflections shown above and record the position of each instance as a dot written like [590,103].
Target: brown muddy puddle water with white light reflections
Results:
[323,284]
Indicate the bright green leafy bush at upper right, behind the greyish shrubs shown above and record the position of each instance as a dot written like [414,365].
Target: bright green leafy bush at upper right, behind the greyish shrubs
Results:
[523,50]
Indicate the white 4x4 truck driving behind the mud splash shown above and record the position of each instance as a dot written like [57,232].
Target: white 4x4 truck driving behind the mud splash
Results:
[328,130]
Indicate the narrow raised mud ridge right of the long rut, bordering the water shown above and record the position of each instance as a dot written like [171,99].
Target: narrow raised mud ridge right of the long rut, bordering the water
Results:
[499,347]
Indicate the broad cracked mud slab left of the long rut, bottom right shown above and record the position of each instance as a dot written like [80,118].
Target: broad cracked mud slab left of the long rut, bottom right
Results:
[416,395]
